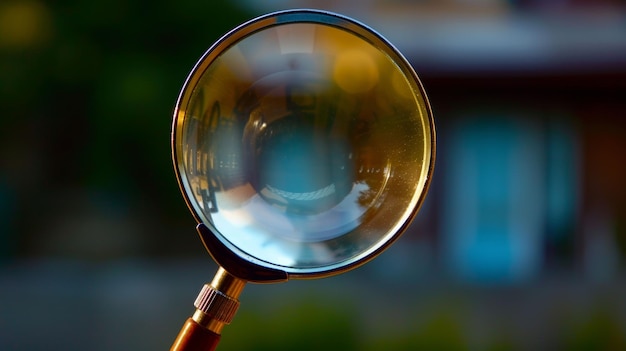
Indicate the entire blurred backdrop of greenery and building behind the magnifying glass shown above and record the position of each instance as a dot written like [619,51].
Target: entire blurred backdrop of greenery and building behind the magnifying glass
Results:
[519,246]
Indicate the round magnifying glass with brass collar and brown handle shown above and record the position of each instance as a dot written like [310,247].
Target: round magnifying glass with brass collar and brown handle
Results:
[304,145]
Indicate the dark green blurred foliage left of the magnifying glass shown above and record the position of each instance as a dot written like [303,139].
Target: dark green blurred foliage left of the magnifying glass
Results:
[87,91]
